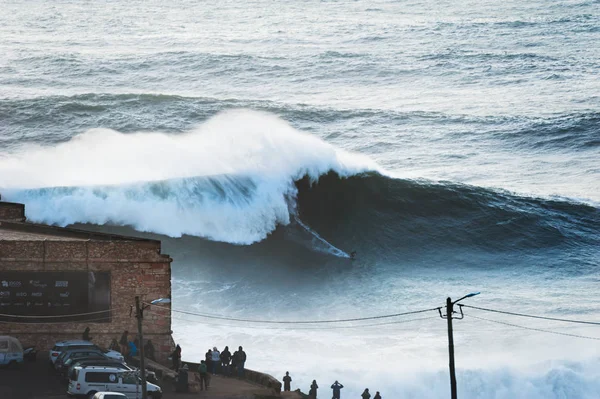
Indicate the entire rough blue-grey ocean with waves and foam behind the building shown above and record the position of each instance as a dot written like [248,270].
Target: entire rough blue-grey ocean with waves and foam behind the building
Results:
[455,147]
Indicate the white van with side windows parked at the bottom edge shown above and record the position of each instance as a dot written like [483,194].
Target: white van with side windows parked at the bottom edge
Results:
[86,381]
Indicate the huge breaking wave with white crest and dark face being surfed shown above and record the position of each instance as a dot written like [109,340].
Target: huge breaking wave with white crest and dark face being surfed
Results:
[243,173]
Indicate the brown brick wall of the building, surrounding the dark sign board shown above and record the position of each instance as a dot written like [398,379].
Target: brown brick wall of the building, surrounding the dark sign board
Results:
[136,268]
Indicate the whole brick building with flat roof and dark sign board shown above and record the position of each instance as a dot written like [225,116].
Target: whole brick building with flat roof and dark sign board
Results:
[55,282]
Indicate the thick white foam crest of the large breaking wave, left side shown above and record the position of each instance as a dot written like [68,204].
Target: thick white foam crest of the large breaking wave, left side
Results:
[231,179]
